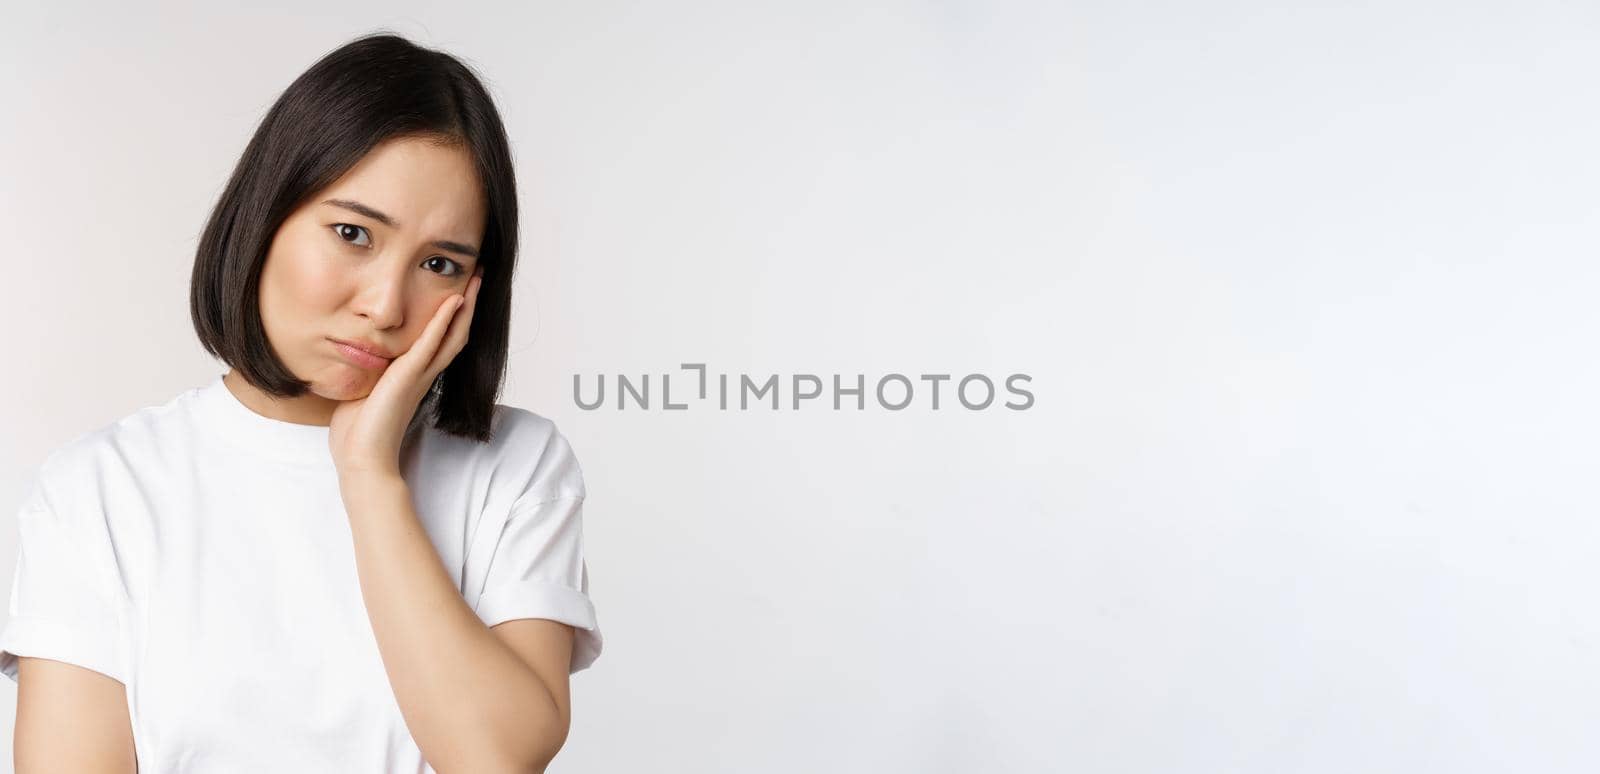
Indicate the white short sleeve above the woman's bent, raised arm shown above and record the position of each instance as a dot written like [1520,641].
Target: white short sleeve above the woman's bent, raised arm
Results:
[538,569]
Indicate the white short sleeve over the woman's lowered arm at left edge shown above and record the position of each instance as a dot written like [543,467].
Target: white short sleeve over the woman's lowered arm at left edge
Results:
[65,604]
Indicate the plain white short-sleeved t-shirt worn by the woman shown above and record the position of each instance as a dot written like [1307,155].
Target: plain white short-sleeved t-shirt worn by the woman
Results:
[201,554]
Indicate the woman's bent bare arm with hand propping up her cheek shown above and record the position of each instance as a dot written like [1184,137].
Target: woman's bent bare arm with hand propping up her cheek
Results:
[470,696]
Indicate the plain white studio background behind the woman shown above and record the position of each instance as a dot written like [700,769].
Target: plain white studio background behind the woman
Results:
[1306,295]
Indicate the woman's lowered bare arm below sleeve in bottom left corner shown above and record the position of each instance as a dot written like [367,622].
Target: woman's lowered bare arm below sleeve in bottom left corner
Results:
[71,720]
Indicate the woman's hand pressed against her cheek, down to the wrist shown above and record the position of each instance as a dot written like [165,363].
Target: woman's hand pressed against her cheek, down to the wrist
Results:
[366,434]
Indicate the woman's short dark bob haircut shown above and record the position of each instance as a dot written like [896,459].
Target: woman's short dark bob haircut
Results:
[370,90]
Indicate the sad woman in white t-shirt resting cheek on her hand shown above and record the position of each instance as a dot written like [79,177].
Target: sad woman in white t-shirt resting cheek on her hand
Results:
[340,556]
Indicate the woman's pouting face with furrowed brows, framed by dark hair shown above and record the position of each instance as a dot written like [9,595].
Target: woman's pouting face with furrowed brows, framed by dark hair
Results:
[369,261]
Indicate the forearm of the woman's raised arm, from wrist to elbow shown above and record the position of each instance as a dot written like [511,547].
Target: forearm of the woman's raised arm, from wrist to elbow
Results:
[470,701]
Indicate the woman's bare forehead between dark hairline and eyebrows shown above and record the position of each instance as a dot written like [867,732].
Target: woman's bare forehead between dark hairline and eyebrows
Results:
[426,188]
